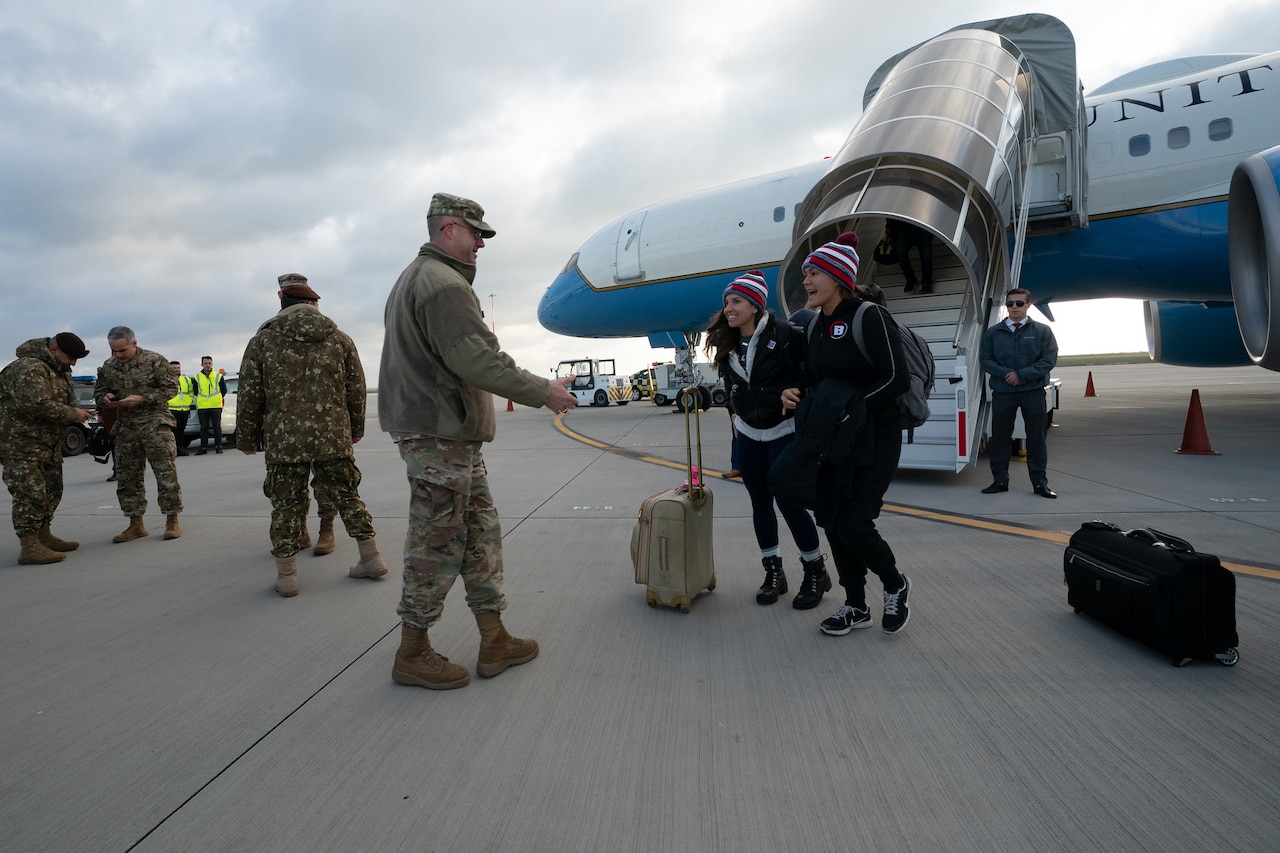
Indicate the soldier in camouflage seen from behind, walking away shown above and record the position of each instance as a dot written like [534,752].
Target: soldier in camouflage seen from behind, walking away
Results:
[303,400]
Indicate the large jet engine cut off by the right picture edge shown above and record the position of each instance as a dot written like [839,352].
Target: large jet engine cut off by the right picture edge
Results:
[1254,248]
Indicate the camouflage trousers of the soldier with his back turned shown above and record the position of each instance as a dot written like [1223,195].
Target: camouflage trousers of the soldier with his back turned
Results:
[286,487]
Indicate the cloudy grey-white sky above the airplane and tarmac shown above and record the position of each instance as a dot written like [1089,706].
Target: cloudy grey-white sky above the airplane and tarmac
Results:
[162,165]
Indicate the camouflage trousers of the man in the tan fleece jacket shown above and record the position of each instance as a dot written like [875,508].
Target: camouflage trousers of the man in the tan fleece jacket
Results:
[454,531]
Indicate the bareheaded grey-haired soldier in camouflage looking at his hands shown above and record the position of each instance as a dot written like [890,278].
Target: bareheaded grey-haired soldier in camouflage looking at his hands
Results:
[138,386]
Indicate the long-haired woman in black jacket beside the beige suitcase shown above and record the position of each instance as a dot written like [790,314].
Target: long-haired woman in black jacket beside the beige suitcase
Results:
[758,358]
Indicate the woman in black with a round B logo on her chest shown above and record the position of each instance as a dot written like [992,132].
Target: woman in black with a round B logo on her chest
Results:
[831,353]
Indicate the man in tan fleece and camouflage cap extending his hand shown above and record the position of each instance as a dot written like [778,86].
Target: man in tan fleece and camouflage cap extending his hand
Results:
[441,366]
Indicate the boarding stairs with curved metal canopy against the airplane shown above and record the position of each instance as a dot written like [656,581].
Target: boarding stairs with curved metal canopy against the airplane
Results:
[948,142]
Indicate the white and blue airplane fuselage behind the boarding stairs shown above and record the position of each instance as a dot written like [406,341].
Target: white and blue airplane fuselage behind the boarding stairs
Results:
[1160,161]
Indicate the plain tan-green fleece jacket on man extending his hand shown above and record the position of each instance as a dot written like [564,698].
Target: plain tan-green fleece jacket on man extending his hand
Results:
[441,363]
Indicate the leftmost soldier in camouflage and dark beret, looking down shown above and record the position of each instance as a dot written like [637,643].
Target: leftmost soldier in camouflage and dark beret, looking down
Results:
[36,405]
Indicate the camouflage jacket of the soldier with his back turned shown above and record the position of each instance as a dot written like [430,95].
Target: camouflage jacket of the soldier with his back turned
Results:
[301,390]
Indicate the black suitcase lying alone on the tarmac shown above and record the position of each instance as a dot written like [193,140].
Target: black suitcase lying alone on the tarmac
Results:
[1154,589]
